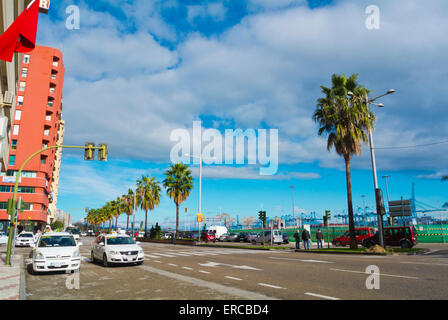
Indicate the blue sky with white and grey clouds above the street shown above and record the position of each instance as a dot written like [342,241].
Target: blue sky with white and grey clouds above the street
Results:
[137,70]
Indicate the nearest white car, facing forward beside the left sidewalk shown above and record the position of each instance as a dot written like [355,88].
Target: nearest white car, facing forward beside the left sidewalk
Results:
[56,251]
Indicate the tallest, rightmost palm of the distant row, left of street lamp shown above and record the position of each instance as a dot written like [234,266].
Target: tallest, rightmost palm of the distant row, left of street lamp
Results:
[178,184]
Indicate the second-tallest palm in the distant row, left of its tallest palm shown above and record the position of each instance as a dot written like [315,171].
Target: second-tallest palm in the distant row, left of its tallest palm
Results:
[148,195]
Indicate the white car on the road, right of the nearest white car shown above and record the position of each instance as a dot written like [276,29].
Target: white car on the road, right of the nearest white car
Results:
[116,249]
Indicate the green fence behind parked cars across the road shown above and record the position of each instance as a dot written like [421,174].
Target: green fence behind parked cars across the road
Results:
[425,233]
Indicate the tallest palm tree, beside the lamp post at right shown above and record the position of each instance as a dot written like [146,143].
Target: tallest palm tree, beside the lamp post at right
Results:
[345,120]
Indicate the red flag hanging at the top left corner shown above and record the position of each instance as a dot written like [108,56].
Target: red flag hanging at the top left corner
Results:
[21,35]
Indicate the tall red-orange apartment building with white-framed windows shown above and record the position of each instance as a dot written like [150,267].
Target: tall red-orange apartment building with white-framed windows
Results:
[36,125]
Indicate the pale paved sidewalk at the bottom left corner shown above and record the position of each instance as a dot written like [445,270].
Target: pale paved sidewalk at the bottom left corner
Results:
[10,278]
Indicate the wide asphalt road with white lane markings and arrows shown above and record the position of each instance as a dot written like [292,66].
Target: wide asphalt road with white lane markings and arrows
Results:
[177,272]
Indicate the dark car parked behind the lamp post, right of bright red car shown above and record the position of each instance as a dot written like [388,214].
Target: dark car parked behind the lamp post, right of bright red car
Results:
[405,237]
